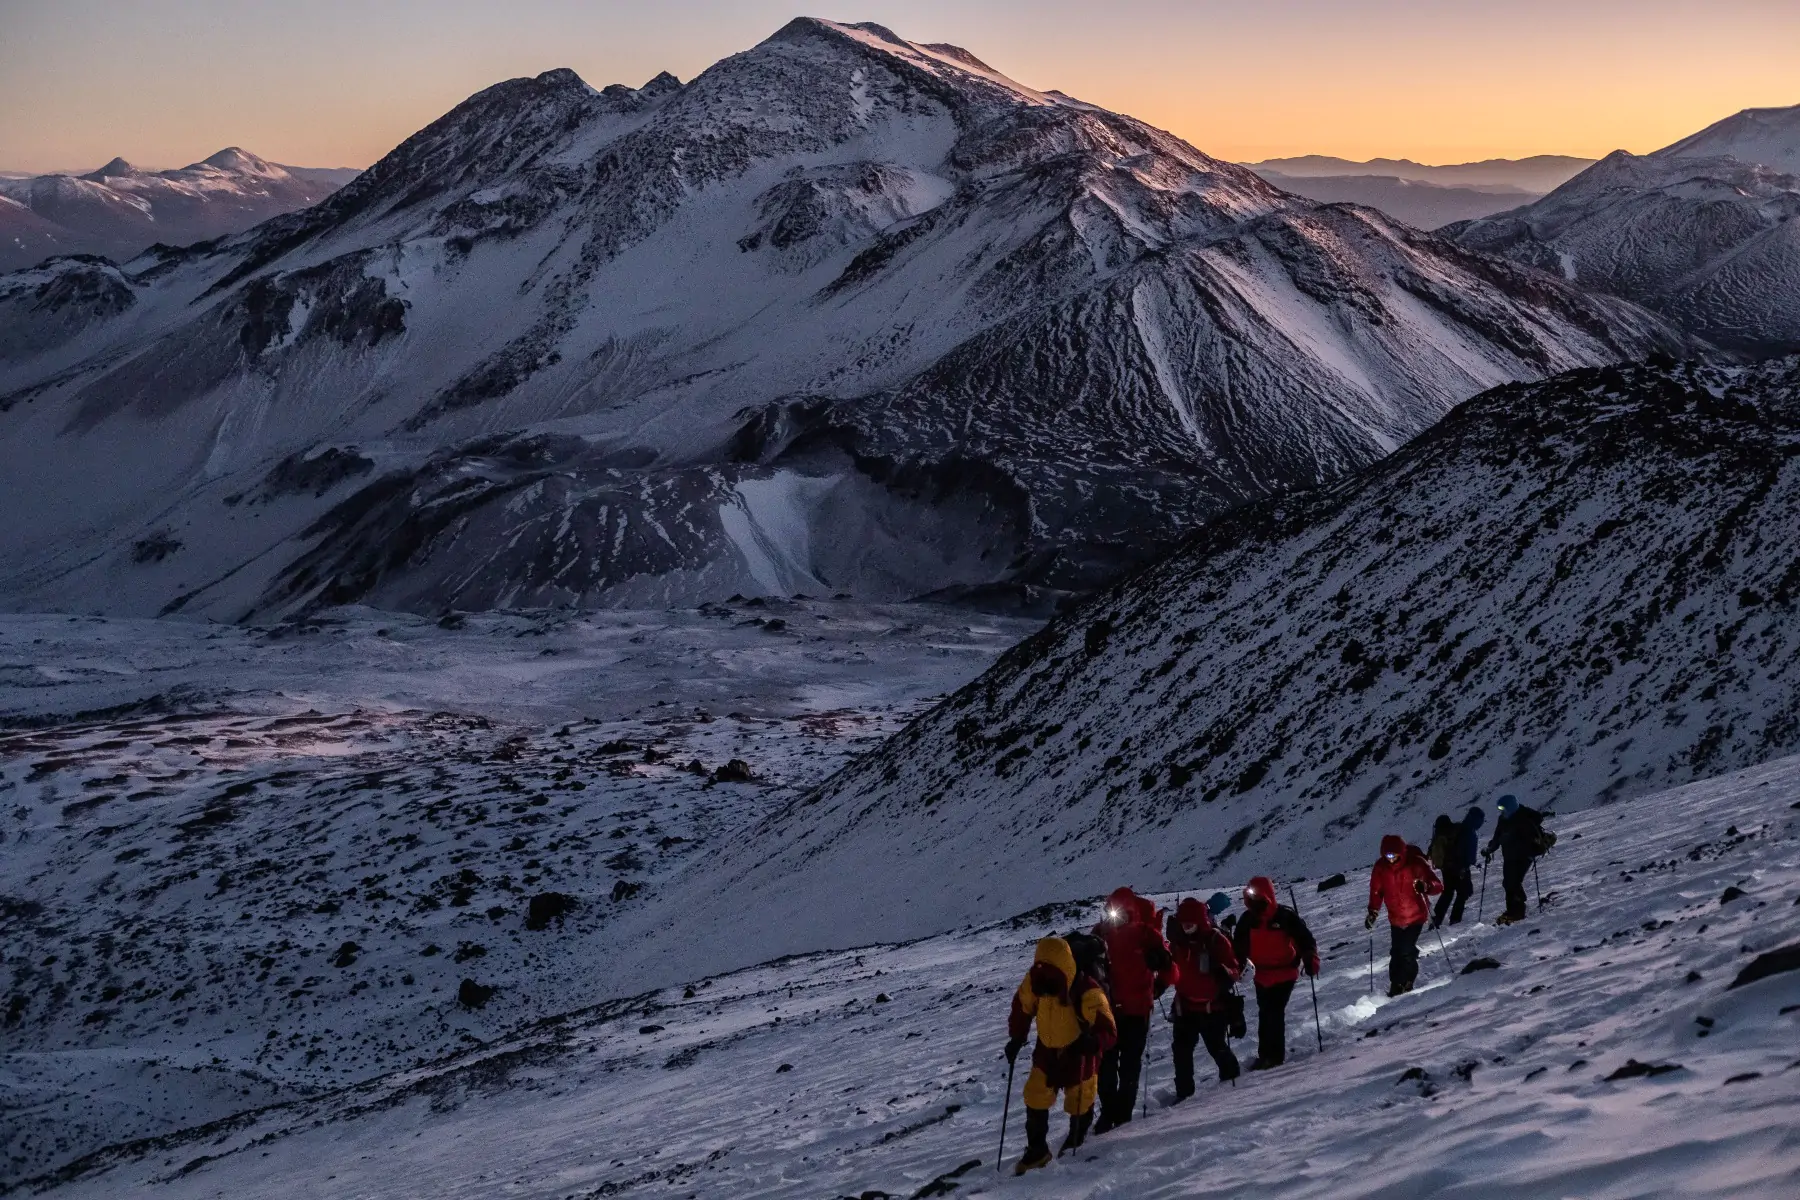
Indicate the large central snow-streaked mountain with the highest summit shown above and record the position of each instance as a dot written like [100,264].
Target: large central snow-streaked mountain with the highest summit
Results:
[987,341]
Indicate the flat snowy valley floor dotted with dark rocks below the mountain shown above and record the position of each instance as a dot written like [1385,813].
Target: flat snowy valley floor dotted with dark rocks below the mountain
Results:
[247,864]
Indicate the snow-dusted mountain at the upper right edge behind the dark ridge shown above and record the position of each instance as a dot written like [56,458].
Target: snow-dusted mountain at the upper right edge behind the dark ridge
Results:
[1702,231]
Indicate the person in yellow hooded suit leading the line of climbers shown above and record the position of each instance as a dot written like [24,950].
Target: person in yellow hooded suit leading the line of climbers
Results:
[1074,1030]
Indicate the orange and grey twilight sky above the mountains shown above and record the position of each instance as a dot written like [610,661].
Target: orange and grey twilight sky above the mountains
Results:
[341,82]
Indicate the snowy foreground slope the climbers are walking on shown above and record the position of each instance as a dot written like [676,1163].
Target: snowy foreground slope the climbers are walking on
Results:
[877,1073]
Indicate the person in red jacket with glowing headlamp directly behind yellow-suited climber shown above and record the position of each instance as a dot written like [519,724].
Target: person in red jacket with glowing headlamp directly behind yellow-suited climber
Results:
[1140,971]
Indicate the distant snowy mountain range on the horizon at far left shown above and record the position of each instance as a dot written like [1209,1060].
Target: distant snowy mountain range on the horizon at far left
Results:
[121,211]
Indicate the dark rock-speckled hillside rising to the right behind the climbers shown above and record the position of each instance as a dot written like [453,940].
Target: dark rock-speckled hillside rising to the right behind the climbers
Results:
[1576,591]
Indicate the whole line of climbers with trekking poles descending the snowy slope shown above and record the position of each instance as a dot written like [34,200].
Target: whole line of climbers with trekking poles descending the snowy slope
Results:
[1092,994]
